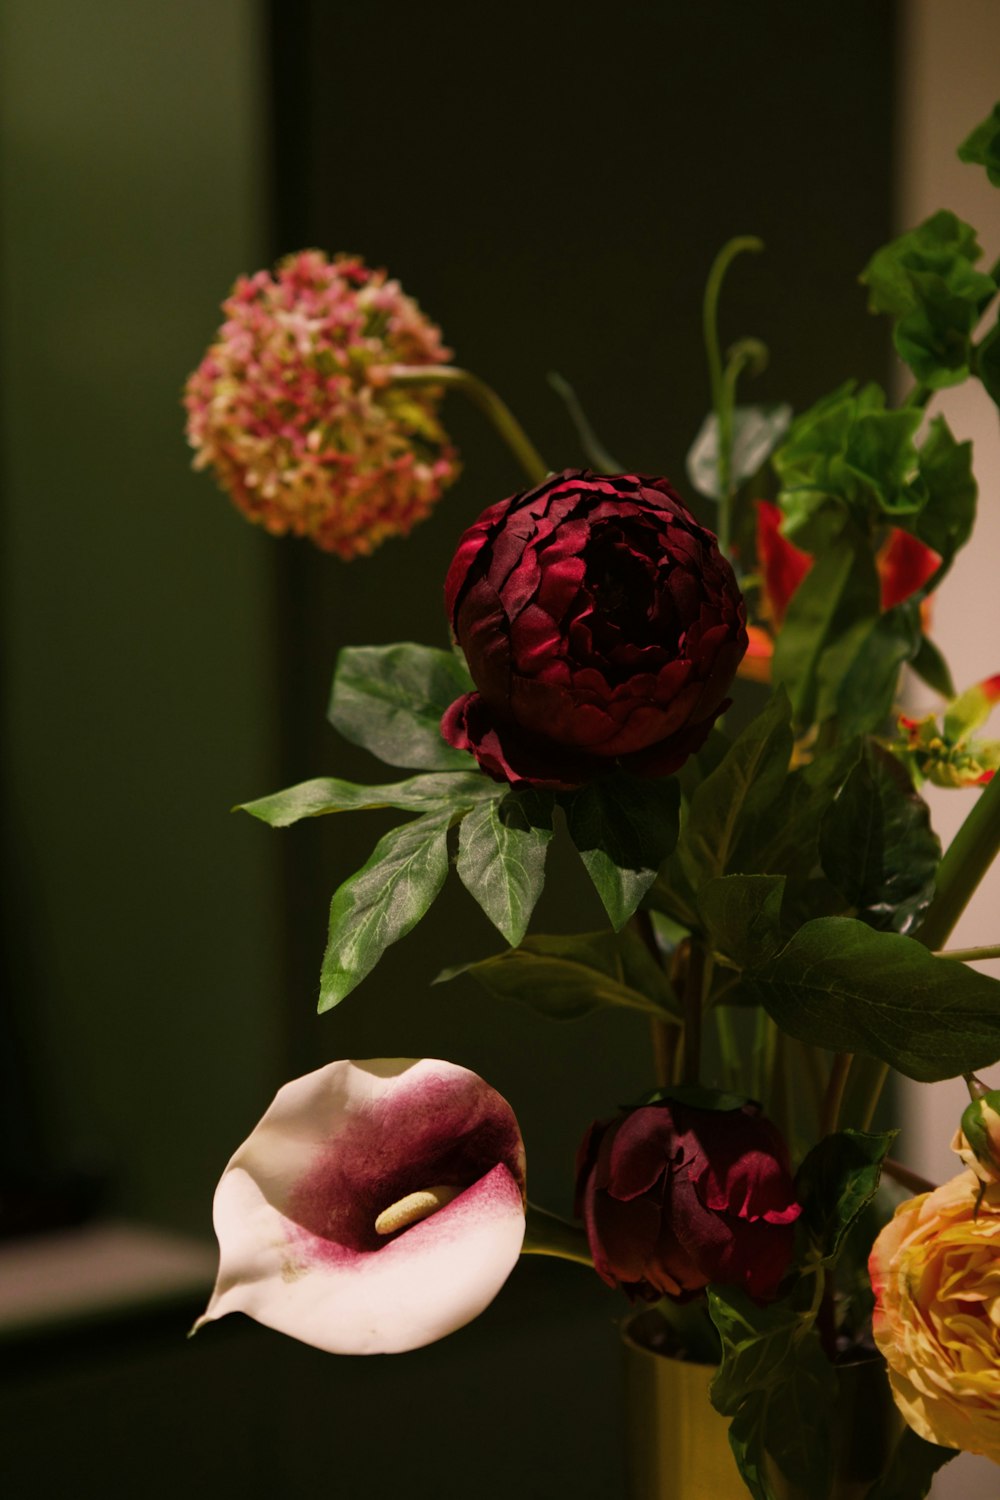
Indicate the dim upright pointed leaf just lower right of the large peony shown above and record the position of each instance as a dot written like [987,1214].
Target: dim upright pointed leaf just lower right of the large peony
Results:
[747,781]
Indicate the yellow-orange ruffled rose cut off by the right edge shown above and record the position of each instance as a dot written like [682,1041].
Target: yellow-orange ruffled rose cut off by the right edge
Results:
[936,1276]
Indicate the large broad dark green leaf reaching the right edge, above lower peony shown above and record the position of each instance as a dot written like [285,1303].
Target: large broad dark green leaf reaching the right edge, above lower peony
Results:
[843,986]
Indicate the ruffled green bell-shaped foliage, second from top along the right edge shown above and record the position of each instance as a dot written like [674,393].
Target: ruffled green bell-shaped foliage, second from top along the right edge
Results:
[927,283]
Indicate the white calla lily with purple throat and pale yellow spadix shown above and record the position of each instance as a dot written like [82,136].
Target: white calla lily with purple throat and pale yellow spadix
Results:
[376,1208]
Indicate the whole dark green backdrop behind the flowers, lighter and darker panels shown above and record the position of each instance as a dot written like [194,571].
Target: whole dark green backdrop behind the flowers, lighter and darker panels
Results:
[551,182]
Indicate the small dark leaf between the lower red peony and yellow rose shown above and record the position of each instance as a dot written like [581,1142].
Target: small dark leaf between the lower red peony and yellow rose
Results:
[834,1186]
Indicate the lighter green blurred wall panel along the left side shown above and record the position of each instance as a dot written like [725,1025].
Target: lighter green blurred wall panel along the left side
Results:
[139,646]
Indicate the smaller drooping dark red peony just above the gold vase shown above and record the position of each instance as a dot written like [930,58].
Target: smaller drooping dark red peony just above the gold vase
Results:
[675,1198]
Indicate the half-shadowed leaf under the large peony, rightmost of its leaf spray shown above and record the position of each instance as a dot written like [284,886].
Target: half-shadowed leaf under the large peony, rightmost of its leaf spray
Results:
[624,827]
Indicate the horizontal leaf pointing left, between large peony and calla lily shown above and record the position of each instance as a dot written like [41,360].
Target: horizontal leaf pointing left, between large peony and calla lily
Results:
[567,977]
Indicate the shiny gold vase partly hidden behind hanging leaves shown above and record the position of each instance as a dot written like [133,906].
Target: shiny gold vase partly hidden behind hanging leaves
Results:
[678,1444]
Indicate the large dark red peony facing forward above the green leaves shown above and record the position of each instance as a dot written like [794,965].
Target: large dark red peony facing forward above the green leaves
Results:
[602,628]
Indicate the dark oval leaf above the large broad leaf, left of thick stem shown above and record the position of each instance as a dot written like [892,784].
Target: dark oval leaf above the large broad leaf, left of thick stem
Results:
[878,845]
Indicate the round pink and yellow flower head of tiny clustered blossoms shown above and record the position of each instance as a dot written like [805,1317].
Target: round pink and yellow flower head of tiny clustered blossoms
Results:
[295,412]
